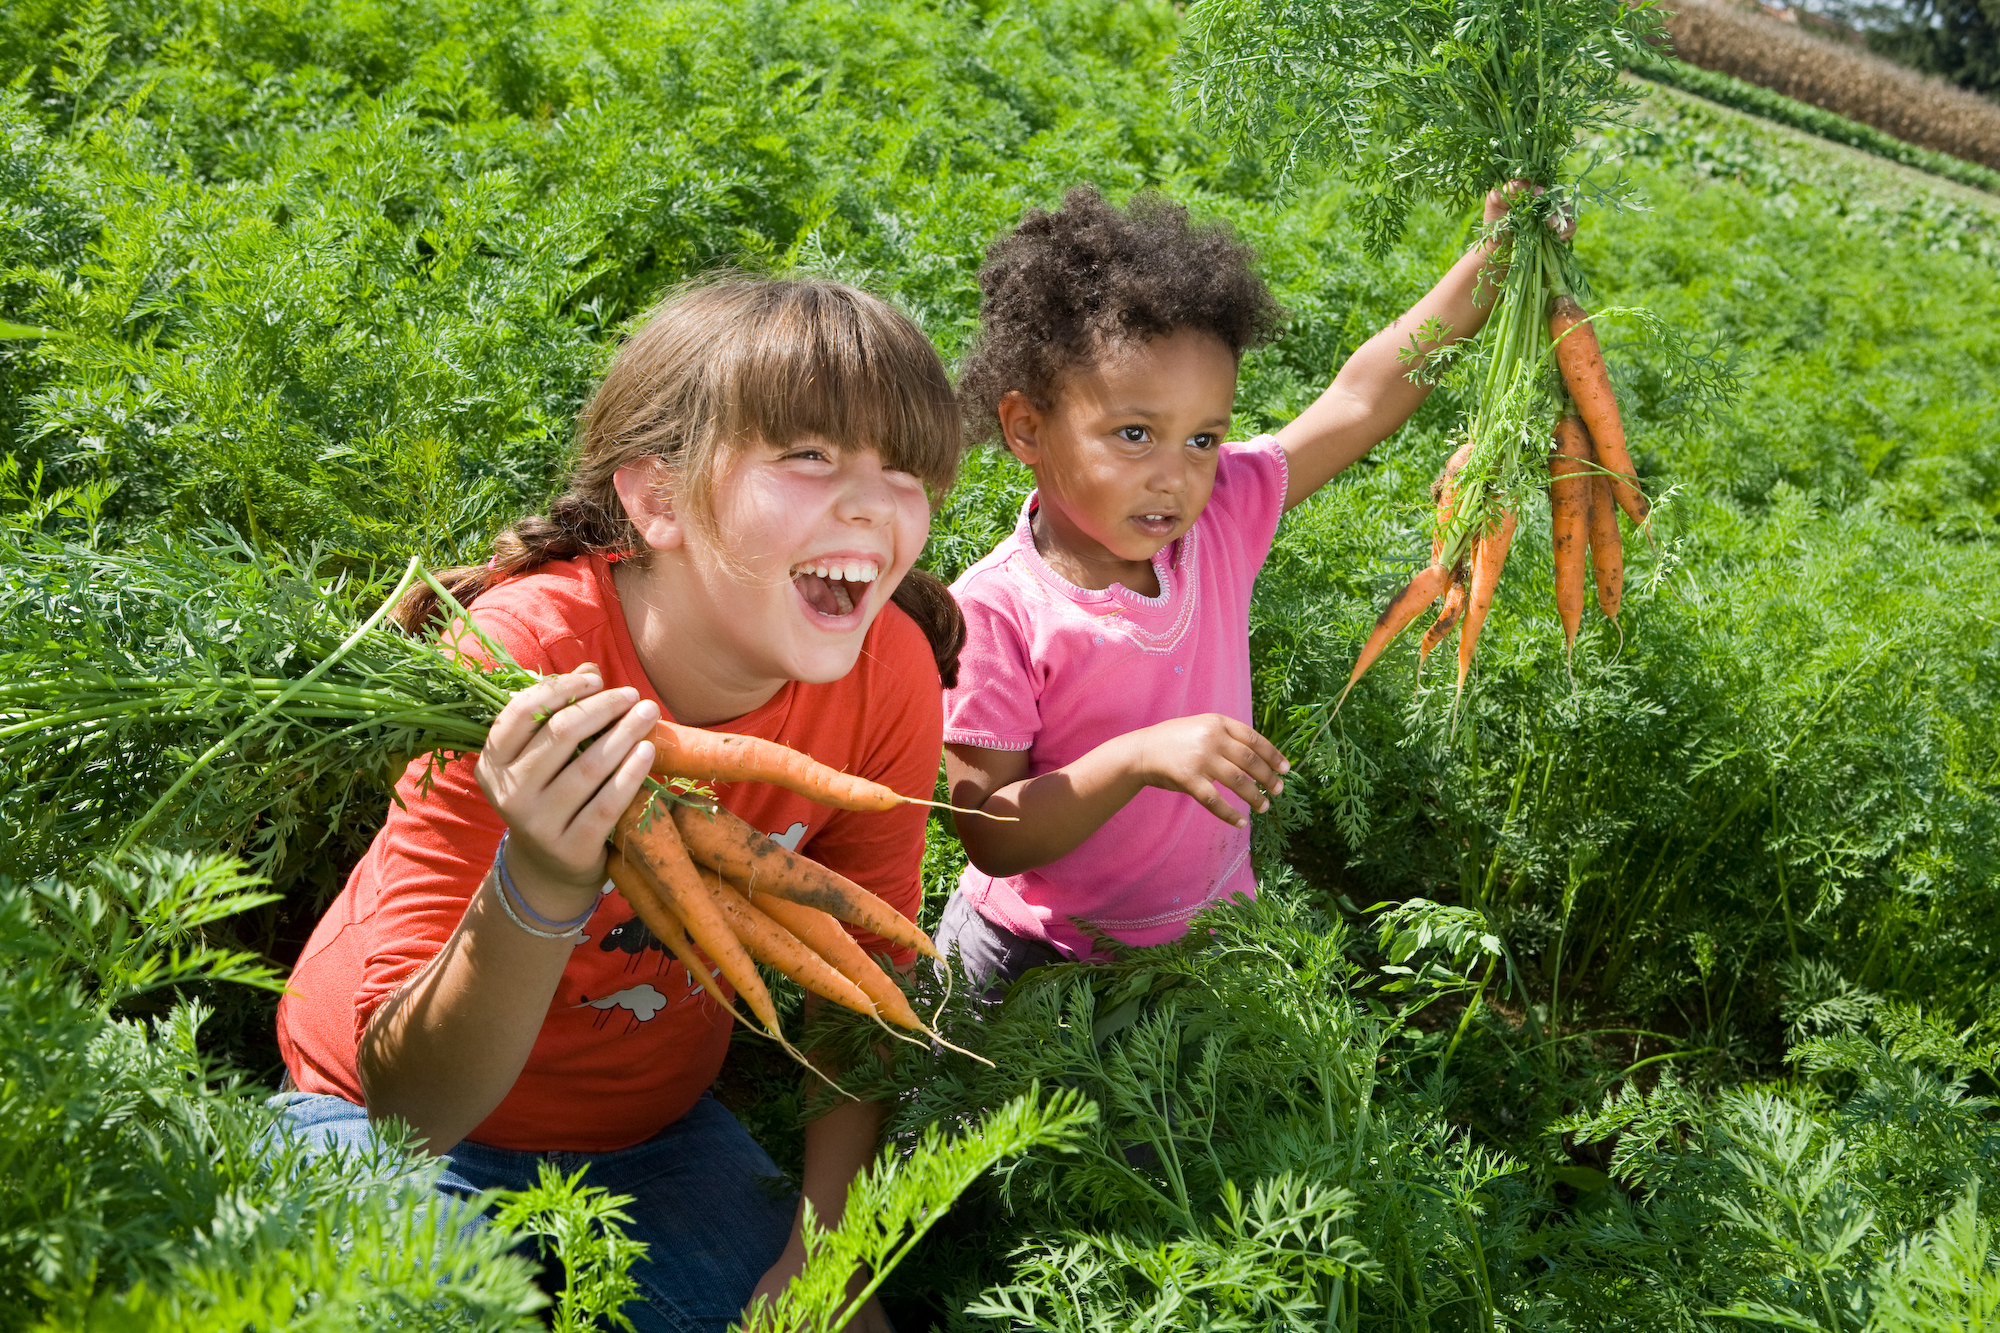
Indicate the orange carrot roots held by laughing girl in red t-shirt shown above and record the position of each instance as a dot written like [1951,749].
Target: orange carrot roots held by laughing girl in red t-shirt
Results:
[707,884]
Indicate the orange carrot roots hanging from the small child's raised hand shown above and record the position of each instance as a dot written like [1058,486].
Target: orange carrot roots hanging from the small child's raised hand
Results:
[1589,475]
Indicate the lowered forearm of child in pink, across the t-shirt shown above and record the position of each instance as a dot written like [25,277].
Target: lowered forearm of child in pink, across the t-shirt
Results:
[1057,812]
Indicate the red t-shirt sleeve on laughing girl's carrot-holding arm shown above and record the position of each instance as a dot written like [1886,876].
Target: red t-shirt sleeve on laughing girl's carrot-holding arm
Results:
[433,852]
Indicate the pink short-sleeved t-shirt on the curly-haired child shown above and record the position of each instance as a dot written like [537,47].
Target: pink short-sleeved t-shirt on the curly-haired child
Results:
[1057,672]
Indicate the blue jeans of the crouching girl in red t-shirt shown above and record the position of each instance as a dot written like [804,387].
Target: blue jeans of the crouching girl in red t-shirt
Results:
[703,1262]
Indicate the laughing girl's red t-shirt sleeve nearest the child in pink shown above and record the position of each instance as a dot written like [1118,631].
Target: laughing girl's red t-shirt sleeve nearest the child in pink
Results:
[885,852]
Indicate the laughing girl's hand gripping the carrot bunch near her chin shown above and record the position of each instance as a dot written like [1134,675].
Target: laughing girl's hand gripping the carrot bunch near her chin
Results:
[561,804]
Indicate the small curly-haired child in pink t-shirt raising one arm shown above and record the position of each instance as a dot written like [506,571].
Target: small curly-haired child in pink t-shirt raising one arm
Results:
[1105,684]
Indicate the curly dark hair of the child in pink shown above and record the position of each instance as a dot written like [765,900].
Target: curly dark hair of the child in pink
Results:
[1063,285]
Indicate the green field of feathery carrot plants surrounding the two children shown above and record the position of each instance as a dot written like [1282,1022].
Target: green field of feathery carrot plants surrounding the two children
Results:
[1653,986]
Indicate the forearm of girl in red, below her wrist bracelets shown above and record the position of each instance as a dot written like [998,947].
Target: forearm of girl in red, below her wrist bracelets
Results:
[443,1052]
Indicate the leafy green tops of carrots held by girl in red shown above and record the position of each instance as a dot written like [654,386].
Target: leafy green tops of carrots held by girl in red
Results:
[217,688]
